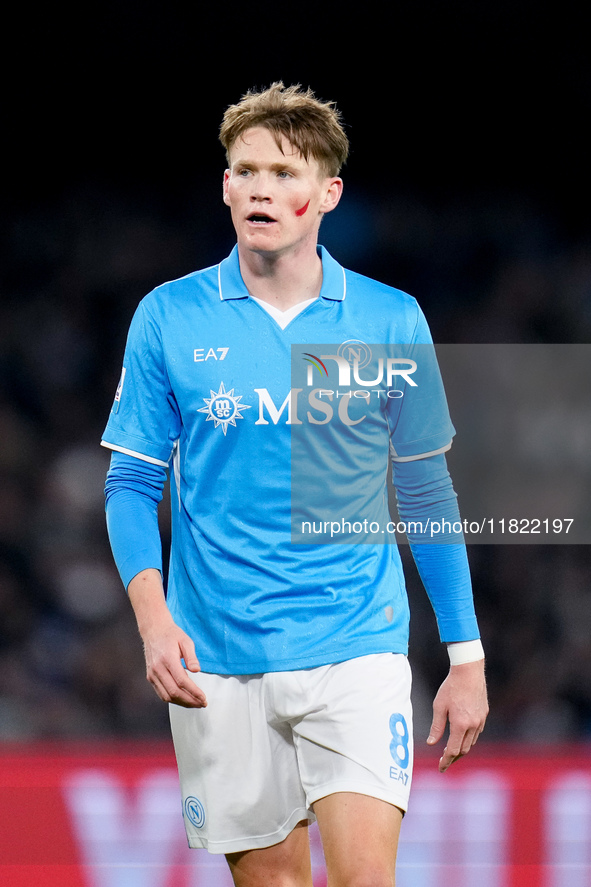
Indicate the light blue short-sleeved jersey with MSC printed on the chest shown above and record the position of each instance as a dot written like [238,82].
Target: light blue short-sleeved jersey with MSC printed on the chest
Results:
[208,387]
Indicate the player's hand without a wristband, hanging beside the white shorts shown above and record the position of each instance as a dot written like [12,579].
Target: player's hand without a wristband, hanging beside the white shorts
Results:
[164,651]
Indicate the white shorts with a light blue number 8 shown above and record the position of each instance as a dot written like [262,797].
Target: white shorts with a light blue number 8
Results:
[266,747]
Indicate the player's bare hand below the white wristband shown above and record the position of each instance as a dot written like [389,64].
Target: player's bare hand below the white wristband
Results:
[462,700]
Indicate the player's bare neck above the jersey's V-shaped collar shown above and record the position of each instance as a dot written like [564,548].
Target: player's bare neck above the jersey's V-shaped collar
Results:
[283,280]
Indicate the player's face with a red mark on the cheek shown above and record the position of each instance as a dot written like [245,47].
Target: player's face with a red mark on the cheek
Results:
[276,197]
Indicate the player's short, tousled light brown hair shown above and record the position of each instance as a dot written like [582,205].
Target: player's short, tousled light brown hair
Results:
[312,126]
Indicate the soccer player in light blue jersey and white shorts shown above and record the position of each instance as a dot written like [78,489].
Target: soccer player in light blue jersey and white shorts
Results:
[285,662]
